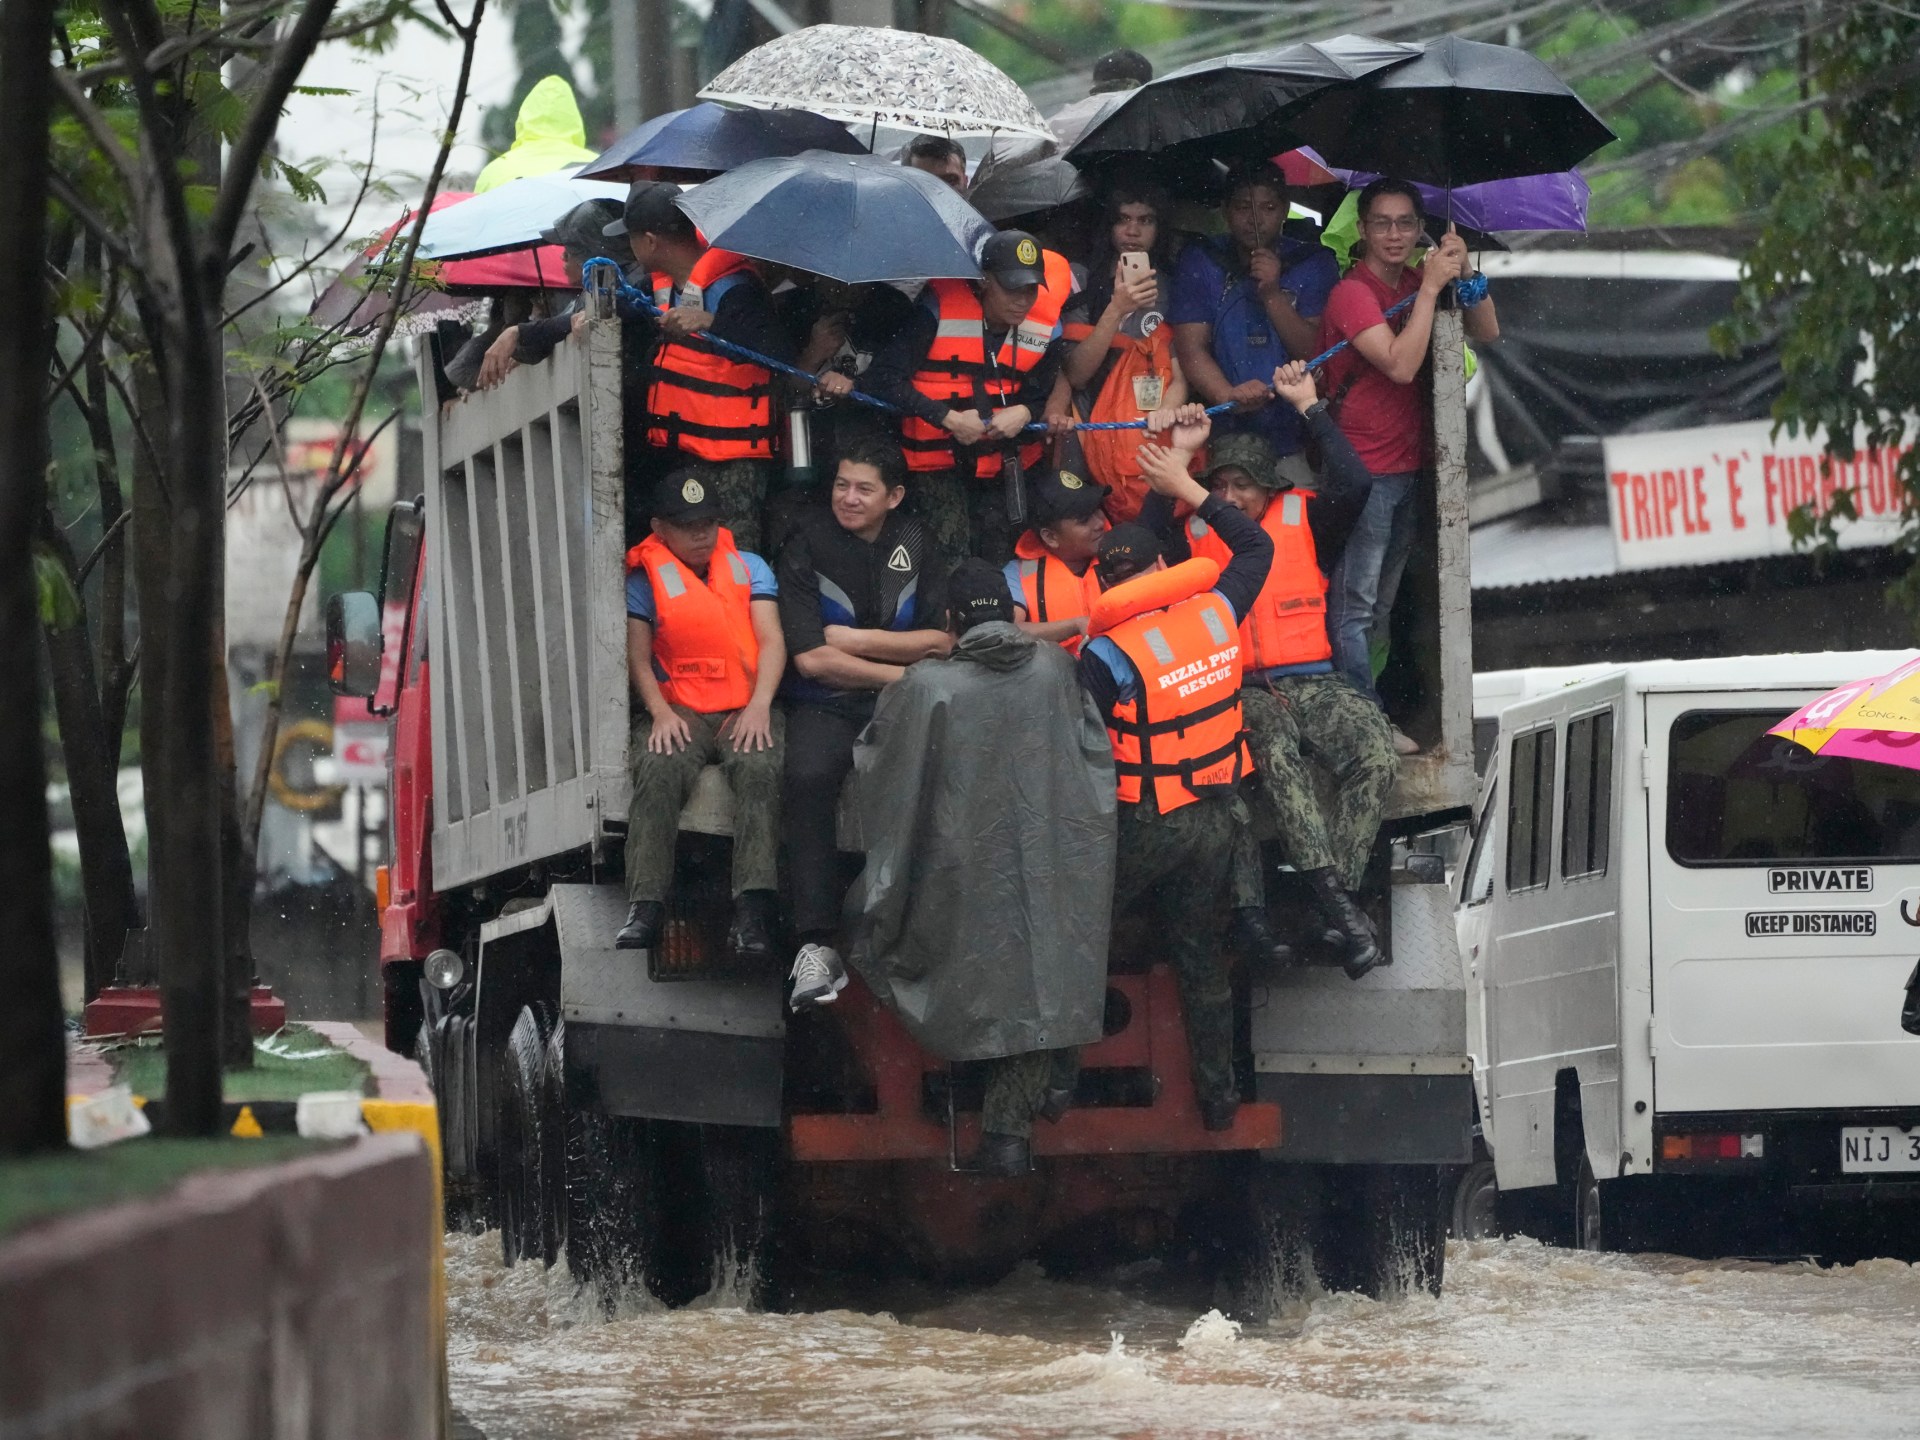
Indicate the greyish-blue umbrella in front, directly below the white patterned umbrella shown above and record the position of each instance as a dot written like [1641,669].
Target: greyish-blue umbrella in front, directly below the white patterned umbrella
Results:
[850,218]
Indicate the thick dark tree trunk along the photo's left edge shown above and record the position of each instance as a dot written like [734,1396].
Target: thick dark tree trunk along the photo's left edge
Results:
[34,1063]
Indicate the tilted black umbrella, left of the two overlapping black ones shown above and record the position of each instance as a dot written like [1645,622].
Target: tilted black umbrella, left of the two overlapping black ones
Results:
[1234,107]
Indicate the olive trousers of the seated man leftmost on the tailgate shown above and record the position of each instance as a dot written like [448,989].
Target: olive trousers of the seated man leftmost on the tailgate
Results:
[661,788]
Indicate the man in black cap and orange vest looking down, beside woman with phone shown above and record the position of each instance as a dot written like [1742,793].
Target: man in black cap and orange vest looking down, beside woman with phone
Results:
[971,373]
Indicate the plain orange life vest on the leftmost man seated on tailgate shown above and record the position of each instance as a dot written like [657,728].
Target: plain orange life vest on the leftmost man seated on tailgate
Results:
[702,629]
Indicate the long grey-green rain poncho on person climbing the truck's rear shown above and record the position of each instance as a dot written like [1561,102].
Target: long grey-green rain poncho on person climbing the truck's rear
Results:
[984,800]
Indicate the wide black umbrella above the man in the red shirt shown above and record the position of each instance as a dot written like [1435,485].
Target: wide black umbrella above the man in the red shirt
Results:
[1460,114]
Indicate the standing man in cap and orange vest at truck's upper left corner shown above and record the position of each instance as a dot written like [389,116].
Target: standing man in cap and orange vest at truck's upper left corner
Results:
[704,406]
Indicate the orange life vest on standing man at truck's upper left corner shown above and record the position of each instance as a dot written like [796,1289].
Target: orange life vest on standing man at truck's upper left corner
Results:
[704,402]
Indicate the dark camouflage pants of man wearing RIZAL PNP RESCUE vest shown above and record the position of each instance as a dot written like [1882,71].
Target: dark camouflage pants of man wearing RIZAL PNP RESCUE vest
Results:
[1178,865]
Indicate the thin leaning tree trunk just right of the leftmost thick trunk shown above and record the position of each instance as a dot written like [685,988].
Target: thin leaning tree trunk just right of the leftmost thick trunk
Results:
[93,761]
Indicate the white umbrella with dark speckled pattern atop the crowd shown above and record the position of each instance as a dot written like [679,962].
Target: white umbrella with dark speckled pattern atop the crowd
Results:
[865,76]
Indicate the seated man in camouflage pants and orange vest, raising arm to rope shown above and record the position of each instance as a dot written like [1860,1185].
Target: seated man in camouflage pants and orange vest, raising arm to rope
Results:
[1293,698]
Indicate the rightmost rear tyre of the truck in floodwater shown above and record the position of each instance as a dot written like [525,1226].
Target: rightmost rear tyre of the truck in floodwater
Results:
[1389,1237]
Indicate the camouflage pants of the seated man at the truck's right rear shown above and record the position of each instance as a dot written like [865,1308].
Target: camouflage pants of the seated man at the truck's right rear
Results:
[1303,721]
